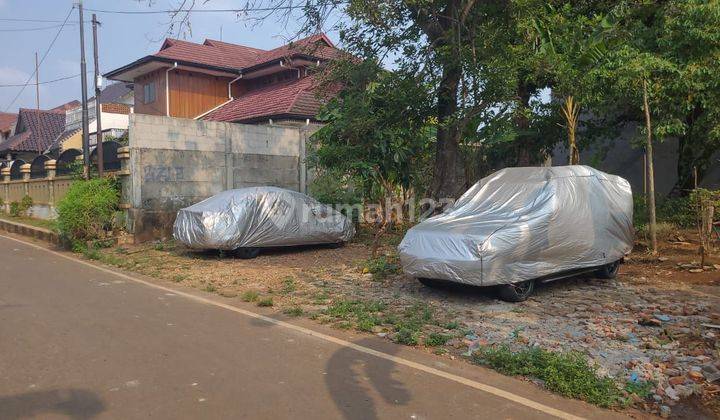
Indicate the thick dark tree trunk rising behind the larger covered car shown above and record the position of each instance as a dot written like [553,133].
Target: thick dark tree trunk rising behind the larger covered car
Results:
[445,179]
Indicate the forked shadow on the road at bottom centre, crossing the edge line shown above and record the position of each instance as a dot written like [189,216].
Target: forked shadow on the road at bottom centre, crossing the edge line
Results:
[352,375]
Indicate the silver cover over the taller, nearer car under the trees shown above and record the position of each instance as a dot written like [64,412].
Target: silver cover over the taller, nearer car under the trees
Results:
[524,223]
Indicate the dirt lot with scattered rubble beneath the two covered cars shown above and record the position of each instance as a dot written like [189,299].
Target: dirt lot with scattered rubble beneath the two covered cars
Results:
[654,330]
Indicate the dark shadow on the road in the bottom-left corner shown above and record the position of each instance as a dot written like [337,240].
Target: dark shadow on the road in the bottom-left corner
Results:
[74,403]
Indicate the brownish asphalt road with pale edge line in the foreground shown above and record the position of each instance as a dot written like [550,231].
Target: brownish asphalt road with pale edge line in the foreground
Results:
[81,342]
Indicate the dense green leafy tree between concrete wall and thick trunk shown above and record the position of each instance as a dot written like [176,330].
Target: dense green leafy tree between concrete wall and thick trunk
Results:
[377,135]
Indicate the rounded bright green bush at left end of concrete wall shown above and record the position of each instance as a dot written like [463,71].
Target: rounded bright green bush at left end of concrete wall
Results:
[88,209]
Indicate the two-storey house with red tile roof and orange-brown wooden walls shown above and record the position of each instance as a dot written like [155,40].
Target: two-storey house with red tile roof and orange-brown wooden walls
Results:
[220,81]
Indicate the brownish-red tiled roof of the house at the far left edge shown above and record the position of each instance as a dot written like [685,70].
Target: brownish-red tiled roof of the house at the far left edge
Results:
[39,130]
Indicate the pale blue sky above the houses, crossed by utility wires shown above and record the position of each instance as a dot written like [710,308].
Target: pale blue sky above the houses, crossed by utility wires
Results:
[122,38]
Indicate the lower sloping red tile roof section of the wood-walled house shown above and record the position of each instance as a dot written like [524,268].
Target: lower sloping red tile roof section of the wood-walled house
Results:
[293,98]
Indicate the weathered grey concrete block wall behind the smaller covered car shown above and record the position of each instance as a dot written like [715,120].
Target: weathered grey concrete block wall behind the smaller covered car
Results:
[175,162]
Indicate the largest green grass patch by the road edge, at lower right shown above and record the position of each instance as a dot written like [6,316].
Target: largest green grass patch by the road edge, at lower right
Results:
[568,374]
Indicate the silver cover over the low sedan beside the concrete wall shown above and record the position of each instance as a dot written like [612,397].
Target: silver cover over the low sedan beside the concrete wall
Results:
[260,217]
